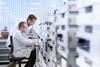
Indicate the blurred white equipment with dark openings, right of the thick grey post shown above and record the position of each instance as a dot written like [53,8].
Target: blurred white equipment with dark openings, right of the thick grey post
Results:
[88,45]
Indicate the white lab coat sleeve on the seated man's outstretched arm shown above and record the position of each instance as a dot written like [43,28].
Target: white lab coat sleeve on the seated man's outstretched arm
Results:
[18,36]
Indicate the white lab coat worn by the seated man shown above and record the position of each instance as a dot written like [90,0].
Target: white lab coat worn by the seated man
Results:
[22,45]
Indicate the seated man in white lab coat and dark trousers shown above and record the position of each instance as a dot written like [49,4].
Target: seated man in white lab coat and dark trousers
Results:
[23,45]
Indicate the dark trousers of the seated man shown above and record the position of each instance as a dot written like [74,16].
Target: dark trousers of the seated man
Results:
[32,59]
